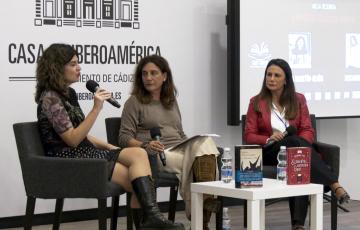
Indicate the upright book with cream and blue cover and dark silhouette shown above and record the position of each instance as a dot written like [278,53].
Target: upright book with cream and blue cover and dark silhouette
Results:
[248,166]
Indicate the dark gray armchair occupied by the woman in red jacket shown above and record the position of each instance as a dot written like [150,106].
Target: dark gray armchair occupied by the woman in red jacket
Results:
[329,153]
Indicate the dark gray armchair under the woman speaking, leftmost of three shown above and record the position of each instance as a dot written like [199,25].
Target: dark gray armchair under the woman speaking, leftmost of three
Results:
[58,178]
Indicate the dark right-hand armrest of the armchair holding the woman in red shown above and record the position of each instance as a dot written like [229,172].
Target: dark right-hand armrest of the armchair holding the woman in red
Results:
[330,154]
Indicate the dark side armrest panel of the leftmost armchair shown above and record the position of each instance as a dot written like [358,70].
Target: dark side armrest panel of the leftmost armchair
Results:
[61,177]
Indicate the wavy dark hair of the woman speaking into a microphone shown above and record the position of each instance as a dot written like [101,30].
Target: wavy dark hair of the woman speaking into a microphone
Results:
[50,69]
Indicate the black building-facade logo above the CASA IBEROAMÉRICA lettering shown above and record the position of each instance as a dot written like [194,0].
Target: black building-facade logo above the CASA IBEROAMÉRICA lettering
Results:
[87,13]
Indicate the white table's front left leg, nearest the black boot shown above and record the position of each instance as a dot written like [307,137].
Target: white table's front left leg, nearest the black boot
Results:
[196,210]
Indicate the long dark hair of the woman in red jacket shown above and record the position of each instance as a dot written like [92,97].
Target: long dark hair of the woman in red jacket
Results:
[288,97]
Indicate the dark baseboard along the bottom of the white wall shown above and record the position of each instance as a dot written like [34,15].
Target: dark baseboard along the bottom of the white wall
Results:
[88,214]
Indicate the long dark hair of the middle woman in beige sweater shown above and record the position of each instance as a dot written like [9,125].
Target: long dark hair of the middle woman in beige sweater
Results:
[168,91]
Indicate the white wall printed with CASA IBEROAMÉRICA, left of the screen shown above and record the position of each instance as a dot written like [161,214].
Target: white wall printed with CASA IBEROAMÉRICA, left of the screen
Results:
[179,30]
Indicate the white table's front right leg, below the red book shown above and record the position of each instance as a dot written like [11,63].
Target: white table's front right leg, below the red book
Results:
[316,216]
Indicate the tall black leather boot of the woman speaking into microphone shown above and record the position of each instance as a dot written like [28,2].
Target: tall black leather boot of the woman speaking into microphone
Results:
[144,190]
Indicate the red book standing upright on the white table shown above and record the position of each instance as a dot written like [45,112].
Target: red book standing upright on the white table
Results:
[298,165]
